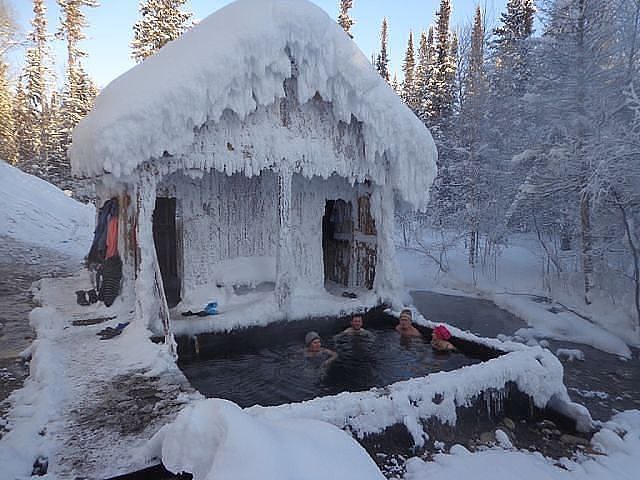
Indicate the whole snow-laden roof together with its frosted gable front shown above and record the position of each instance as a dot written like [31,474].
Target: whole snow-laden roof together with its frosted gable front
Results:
[213,99]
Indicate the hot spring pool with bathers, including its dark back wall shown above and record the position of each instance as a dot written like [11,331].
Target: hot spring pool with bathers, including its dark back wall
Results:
[267,366]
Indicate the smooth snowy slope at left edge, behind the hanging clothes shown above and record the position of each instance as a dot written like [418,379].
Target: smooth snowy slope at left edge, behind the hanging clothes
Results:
[36,212]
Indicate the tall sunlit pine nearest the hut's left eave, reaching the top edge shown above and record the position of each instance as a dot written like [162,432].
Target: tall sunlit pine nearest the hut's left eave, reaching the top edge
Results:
[79,92]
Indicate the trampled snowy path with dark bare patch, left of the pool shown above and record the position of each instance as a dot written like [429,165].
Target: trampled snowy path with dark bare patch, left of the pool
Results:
[89,404]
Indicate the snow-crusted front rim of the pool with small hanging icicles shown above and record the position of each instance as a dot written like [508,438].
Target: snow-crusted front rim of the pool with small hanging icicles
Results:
[536,372]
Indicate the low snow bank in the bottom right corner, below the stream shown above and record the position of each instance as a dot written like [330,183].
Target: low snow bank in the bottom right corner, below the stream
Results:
[619,440]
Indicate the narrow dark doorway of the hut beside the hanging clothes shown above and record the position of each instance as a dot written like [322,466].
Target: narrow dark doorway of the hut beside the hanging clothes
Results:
[166,241]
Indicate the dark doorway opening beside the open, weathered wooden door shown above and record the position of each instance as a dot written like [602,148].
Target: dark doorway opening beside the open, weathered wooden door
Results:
[337,233]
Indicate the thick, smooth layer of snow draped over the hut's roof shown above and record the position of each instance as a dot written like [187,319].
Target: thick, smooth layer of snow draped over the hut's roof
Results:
[237,59]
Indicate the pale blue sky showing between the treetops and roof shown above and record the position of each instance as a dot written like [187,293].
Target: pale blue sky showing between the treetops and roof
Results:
[111,27]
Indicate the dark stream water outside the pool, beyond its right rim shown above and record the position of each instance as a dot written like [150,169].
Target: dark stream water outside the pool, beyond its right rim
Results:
[604,383]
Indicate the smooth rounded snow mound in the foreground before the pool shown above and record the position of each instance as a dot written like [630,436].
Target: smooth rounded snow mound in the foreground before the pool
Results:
[216,439]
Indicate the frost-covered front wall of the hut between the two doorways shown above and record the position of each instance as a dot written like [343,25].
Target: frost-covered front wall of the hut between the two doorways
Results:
[225,217]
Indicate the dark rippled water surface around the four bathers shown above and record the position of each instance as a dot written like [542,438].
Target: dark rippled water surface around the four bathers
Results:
[280,373]
